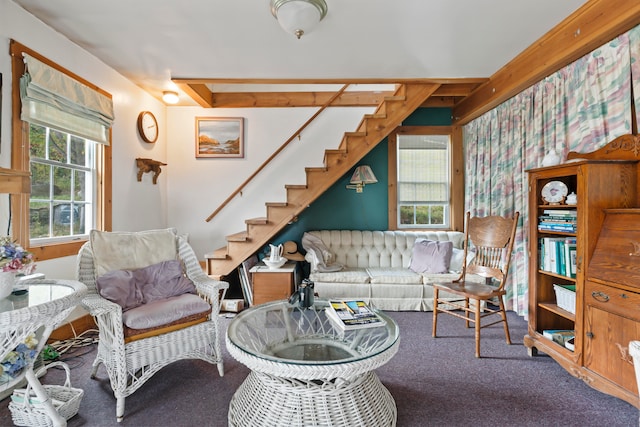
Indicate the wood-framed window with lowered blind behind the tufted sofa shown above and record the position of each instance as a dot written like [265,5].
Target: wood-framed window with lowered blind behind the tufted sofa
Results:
[422,182]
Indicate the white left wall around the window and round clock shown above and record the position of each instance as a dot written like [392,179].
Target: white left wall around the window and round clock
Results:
[136,205]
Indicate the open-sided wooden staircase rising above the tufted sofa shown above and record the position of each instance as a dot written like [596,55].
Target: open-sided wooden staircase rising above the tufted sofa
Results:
[354,146]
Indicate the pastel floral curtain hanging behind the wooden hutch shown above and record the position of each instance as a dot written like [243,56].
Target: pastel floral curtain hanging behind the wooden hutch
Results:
[579,108]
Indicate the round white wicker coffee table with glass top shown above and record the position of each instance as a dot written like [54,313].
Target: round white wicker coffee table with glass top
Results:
[304,372]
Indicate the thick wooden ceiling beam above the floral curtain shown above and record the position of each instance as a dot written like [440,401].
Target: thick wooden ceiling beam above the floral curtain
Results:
[592,25]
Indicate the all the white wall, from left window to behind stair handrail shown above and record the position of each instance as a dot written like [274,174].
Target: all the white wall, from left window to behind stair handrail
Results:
[189,189]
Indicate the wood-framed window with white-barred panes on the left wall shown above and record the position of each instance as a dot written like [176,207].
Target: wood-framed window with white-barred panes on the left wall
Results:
[70,174]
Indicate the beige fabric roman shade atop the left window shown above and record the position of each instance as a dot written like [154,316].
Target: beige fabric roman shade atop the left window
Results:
[53,99]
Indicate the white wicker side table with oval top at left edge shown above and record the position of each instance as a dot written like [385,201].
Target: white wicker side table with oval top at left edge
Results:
[39,311]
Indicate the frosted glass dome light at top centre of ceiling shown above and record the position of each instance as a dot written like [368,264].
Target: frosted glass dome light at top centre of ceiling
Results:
[298,17]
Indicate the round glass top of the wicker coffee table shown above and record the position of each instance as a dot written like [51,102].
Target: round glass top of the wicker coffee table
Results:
[285,333]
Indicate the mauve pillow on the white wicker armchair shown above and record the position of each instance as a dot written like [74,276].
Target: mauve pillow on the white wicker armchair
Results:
[132,288]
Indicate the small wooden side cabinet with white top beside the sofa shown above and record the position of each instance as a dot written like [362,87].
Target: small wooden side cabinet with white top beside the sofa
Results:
[271,284]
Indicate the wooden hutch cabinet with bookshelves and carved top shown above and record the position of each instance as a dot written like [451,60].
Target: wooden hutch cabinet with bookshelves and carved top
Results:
[607,178]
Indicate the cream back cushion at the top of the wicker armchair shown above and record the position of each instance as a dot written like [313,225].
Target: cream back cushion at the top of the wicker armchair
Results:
[131,250]
